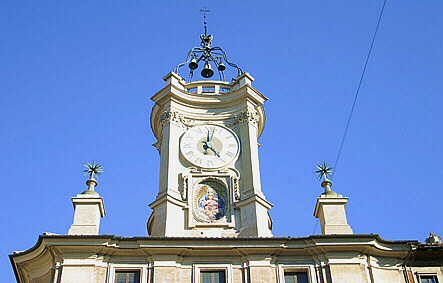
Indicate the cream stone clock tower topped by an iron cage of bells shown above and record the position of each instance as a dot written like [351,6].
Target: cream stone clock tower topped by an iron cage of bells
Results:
[207,133]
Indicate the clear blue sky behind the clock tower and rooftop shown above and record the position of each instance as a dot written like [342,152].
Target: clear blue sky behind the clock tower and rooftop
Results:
[76,77]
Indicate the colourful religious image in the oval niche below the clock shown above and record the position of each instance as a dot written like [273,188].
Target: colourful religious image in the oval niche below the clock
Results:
[210,202]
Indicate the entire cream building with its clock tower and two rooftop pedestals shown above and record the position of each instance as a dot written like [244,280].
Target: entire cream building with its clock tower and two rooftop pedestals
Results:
[210,219]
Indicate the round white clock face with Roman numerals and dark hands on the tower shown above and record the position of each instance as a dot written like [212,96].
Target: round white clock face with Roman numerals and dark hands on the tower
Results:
[209,146]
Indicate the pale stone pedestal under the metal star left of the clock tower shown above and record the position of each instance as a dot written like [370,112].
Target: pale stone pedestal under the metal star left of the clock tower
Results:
[89,208]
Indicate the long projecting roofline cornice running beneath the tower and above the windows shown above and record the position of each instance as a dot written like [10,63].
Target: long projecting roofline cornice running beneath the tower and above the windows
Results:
[329,247]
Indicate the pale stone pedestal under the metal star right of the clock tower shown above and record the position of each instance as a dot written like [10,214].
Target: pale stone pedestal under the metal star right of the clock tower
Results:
[330,209]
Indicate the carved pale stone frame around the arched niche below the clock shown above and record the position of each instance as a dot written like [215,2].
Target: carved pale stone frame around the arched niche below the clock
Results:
[228,177]
